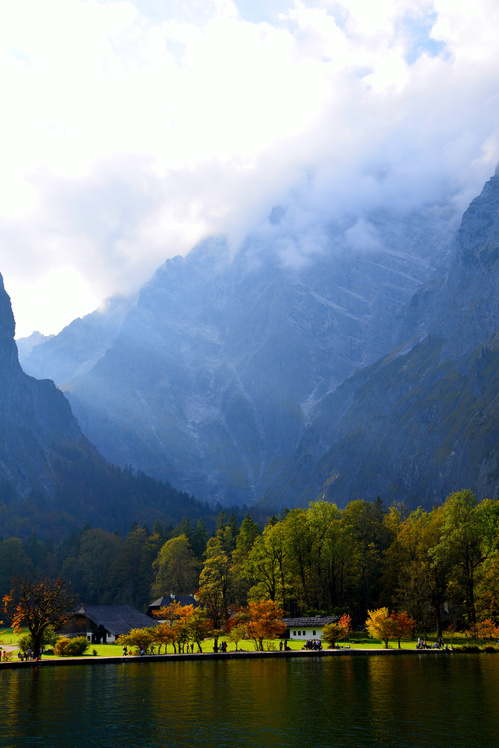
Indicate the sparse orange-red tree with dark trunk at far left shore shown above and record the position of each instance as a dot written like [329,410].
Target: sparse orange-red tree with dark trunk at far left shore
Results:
[37,603]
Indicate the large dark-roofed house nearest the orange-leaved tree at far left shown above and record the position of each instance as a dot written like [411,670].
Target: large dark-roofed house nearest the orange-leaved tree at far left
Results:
[102,624]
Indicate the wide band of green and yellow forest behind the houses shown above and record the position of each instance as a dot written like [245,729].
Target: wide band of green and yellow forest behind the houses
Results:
[440,566]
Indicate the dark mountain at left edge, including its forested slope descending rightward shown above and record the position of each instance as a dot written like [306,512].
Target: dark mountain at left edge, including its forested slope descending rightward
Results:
[51,477]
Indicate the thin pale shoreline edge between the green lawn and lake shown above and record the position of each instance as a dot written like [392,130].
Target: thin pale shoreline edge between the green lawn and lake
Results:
[98,660]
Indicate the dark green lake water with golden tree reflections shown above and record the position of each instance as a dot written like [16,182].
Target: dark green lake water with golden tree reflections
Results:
[443,700]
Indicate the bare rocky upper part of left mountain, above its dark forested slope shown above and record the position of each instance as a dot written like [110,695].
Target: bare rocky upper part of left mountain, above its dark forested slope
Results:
[38,427]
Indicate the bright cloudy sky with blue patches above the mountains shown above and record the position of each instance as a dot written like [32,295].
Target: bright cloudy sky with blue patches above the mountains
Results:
[132,130]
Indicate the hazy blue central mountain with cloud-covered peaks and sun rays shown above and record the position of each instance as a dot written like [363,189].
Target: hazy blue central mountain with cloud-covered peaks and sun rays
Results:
[212,377]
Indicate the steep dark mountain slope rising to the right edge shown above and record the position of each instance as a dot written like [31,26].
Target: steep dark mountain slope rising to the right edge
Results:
[424,420]
